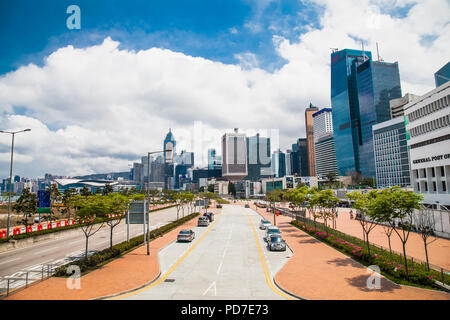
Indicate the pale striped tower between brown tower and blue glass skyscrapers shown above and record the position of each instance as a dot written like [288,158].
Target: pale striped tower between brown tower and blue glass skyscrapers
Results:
[324,143]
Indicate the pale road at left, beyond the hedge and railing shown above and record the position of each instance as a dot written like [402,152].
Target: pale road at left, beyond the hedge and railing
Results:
[73,245]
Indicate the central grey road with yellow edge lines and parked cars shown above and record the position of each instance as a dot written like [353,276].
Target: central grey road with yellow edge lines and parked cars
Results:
[227,260]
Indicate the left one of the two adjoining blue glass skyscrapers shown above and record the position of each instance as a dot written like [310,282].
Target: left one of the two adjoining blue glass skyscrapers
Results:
[345,108]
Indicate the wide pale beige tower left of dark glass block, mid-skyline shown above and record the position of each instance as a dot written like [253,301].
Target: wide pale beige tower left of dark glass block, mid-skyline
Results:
[234,156]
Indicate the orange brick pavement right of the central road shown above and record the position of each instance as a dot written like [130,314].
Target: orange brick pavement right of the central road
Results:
[317,271]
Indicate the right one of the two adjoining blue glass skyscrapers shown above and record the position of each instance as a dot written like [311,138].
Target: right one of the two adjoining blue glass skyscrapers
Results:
[378,82]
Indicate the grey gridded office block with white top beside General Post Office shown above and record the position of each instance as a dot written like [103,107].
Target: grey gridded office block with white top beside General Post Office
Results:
[391,153]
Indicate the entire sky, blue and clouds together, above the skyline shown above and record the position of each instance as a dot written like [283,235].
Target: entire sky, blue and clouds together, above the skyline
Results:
[98,98]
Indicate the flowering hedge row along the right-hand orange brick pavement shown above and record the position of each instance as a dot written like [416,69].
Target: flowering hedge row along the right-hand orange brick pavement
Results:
[390,265]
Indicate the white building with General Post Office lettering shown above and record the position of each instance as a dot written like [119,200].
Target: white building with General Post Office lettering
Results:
[429,128]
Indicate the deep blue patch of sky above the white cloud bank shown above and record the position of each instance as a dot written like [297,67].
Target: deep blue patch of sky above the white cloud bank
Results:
[216,30]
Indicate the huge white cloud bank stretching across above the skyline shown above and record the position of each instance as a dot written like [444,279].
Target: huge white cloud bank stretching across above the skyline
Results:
[99,108]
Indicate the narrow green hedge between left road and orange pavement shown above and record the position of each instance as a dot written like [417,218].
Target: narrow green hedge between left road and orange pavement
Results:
[104,256]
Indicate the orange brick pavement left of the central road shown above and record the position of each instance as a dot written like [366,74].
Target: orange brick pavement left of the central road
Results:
[127,272]
